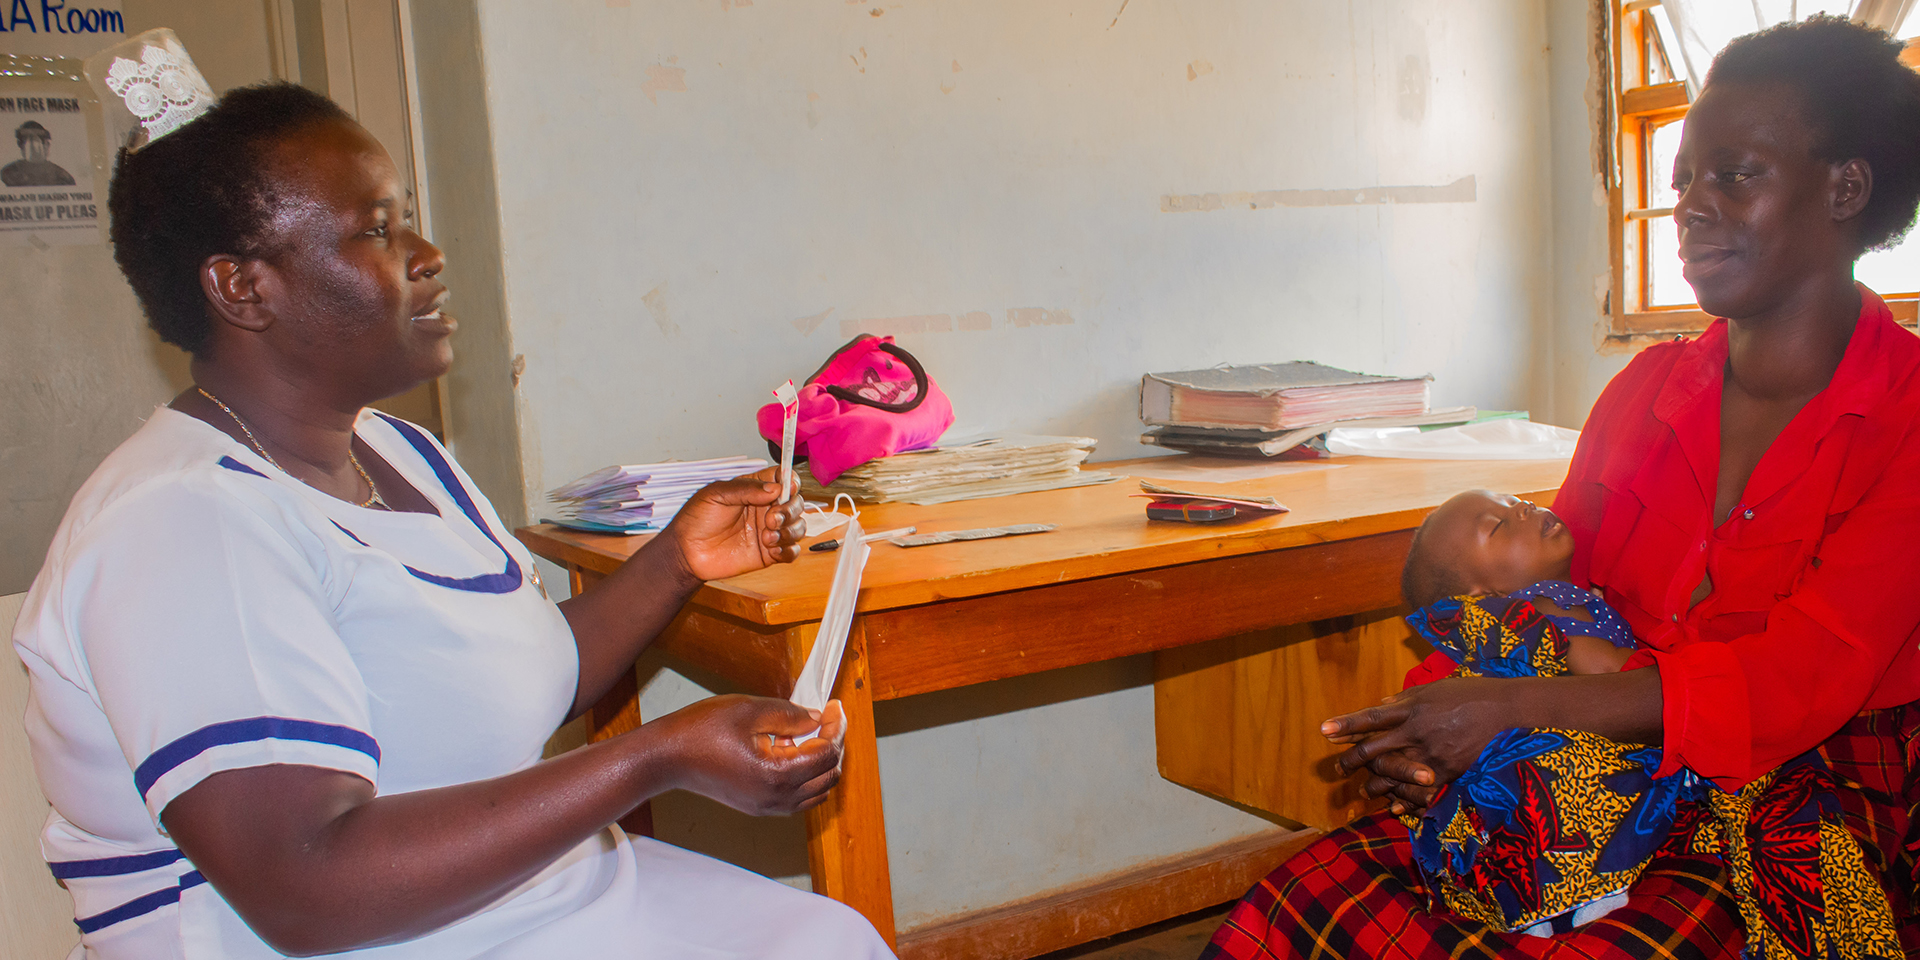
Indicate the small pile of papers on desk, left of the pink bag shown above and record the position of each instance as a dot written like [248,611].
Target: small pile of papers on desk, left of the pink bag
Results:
[640,498]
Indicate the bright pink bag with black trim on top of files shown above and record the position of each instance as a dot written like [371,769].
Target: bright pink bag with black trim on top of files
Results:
[869,400]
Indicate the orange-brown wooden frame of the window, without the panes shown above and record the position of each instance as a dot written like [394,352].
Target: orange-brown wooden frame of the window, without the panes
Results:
[1639,108]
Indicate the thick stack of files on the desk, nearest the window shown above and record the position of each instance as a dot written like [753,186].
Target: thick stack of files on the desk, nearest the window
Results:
[1270,410]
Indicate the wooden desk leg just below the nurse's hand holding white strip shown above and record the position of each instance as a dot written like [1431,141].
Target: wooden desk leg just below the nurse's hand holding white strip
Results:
[848,834]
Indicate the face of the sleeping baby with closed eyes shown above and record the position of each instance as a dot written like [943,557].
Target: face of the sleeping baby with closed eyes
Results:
[1500,542]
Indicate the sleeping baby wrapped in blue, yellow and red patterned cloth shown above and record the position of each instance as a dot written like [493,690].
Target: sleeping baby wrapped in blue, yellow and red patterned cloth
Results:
[1548,828]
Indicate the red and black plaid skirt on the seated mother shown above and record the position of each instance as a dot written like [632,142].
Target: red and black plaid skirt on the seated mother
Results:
[1356,894]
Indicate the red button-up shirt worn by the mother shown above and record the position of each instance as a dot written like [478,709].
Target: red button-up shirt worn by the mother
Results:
[1815,575]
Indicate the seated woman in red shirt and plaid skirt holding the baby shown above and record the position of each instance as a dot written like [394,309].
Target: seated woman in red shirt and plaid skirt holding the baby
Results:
[1748,500]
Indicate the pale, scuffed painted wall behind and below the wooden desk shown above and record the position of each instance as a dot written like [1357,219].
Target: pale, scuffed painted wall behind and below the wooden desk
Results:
[700,201]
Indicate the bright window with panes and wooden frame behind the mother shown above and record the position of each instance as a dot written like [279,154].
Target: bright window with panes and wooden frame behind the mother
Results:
[1650,297]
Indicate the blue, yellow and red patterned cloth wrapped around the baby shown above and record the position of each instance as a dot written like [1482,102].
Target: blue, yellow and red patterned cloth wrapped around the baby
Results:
[1554,825]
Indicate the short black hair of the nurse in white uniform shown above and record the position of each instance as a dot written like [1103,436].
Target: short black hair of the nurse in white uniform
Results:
[203,191]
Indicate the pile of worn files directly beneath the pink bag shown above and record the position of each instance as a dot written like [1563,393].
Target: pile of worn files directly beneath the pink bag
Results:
[971,469]
